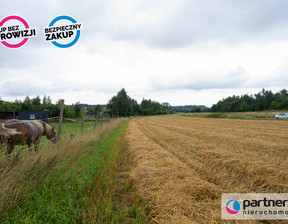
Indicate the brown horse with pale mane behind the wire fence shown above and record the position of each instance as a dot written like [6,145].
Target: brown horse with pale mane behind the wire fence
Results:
[28,133]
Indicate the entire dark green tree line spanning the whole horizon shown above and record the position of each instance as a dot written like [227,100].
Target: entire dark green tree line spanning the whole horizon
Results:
[123,105]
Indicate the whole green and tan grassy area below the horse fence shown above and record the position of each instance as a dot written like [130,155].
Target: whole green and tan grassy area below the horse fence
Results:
[77,183]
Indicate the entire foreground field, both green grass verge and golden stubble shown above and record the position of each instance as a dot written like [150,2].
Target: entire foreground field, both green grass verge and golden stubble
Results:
[157,169]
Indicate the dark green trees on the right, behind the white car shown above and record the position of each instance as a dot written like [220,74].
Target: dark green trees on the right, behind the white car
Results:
[264,100]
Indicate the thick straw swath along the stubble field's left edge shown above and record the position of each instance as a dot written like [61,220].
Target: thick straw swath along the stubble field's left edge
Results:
[167,182]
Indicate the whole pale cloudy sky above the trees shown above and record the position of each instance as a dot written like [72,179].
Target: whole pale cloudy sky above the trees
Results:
[182,52]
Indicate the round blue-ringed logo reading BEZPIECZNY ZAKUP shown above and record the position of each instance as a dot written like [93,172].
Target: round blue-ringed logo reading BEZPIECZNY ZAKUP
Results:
[63,31]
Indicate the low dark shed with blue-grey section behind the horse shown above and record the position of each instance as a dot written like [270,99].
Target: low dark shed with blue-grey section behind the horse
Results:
[24,115]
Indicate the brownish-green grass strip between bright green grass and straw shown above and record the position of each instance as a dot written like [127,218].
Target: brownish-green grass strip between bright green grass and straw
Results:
[112,198]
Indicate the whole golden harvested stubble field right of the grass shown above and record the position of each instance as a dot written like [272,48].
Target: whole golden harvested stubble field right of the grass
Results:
[182,165]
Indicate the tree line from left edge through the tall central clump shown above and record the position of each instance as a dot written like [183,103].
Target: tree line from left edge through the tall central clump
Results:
[120,105]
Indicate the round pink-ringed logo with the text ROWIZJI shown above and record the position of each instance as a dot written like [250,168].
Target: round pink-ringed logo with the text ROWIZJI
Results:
[15,31]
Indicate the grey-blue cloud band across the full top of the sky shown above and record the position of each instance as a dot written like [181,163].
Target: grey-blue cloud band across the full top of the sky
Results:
[164,24]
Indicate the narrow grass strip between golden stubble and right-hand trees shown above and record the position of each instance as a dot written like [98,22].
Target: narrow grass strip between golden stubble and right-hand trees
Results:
[259,115]
